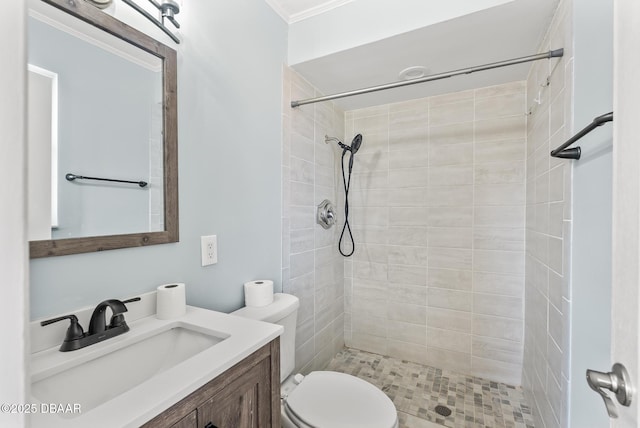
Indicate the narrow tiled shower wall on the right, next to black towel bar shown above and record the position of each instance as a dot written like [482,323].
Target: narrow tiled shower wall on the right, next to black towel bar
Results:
[548,226]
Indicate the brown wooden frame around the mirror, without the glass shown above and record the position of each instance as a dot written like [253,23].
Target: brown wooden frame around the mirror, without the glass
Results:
[99,19]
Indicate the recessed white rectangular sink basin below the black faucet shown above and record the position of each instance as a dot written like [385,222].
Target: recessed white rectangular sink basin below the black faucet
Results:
[96,381]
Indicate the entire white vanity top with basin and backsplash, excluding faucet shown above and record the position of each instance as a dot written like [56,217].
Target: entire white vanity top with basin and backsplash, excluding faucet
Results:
[129,379]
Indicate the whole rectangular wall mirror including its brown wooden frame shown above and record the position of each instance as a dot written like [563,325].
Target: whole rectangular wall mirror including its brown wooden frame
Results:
[102,133]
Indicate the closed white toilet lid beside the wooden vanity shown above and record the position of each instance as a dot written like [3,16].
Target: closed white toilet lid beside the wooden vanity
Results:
[337,400]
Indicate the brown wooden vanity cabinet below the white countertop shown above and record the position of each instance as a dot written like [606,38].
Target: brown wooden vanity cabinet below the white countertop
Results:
[245,396]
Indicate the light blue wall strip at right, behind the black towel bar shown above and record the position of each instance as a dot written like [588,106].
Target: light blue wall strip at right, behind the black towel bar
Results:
[592,205]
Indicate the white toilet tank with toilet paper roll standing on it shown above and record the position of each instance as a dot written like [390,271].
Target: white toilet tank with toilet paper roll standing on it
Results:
[283,311]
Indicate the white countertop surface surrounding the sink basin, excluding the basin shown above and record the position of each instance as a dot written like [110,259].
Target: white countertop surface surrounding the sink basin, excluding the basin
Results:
[146,400]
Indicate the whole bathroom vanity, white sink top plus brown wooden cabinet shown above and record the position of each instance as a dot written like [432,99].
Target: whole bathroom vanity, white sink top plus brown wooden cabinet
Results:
[205,368]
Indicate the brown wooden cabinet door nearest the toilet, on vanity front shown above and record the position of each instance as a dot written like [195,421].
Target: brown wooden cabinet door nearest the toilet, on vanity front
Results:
[244,403]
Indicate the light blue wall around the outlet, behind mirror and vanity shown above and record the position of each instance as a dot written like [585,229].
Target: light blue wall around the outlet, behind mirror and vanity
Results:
[229,117]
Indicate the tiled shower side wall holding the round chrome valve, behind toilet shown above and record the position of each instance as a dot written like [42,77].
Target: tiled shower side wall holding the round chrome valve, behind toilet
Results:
[312,268]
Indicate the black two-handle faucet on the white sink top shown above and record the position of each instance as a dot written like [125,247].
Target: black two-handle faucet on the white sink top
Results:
[76,338]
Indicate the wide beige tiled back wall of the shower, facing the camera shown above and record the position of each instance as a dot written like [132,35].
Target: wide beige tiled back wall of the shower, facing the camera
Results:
[437,208]
